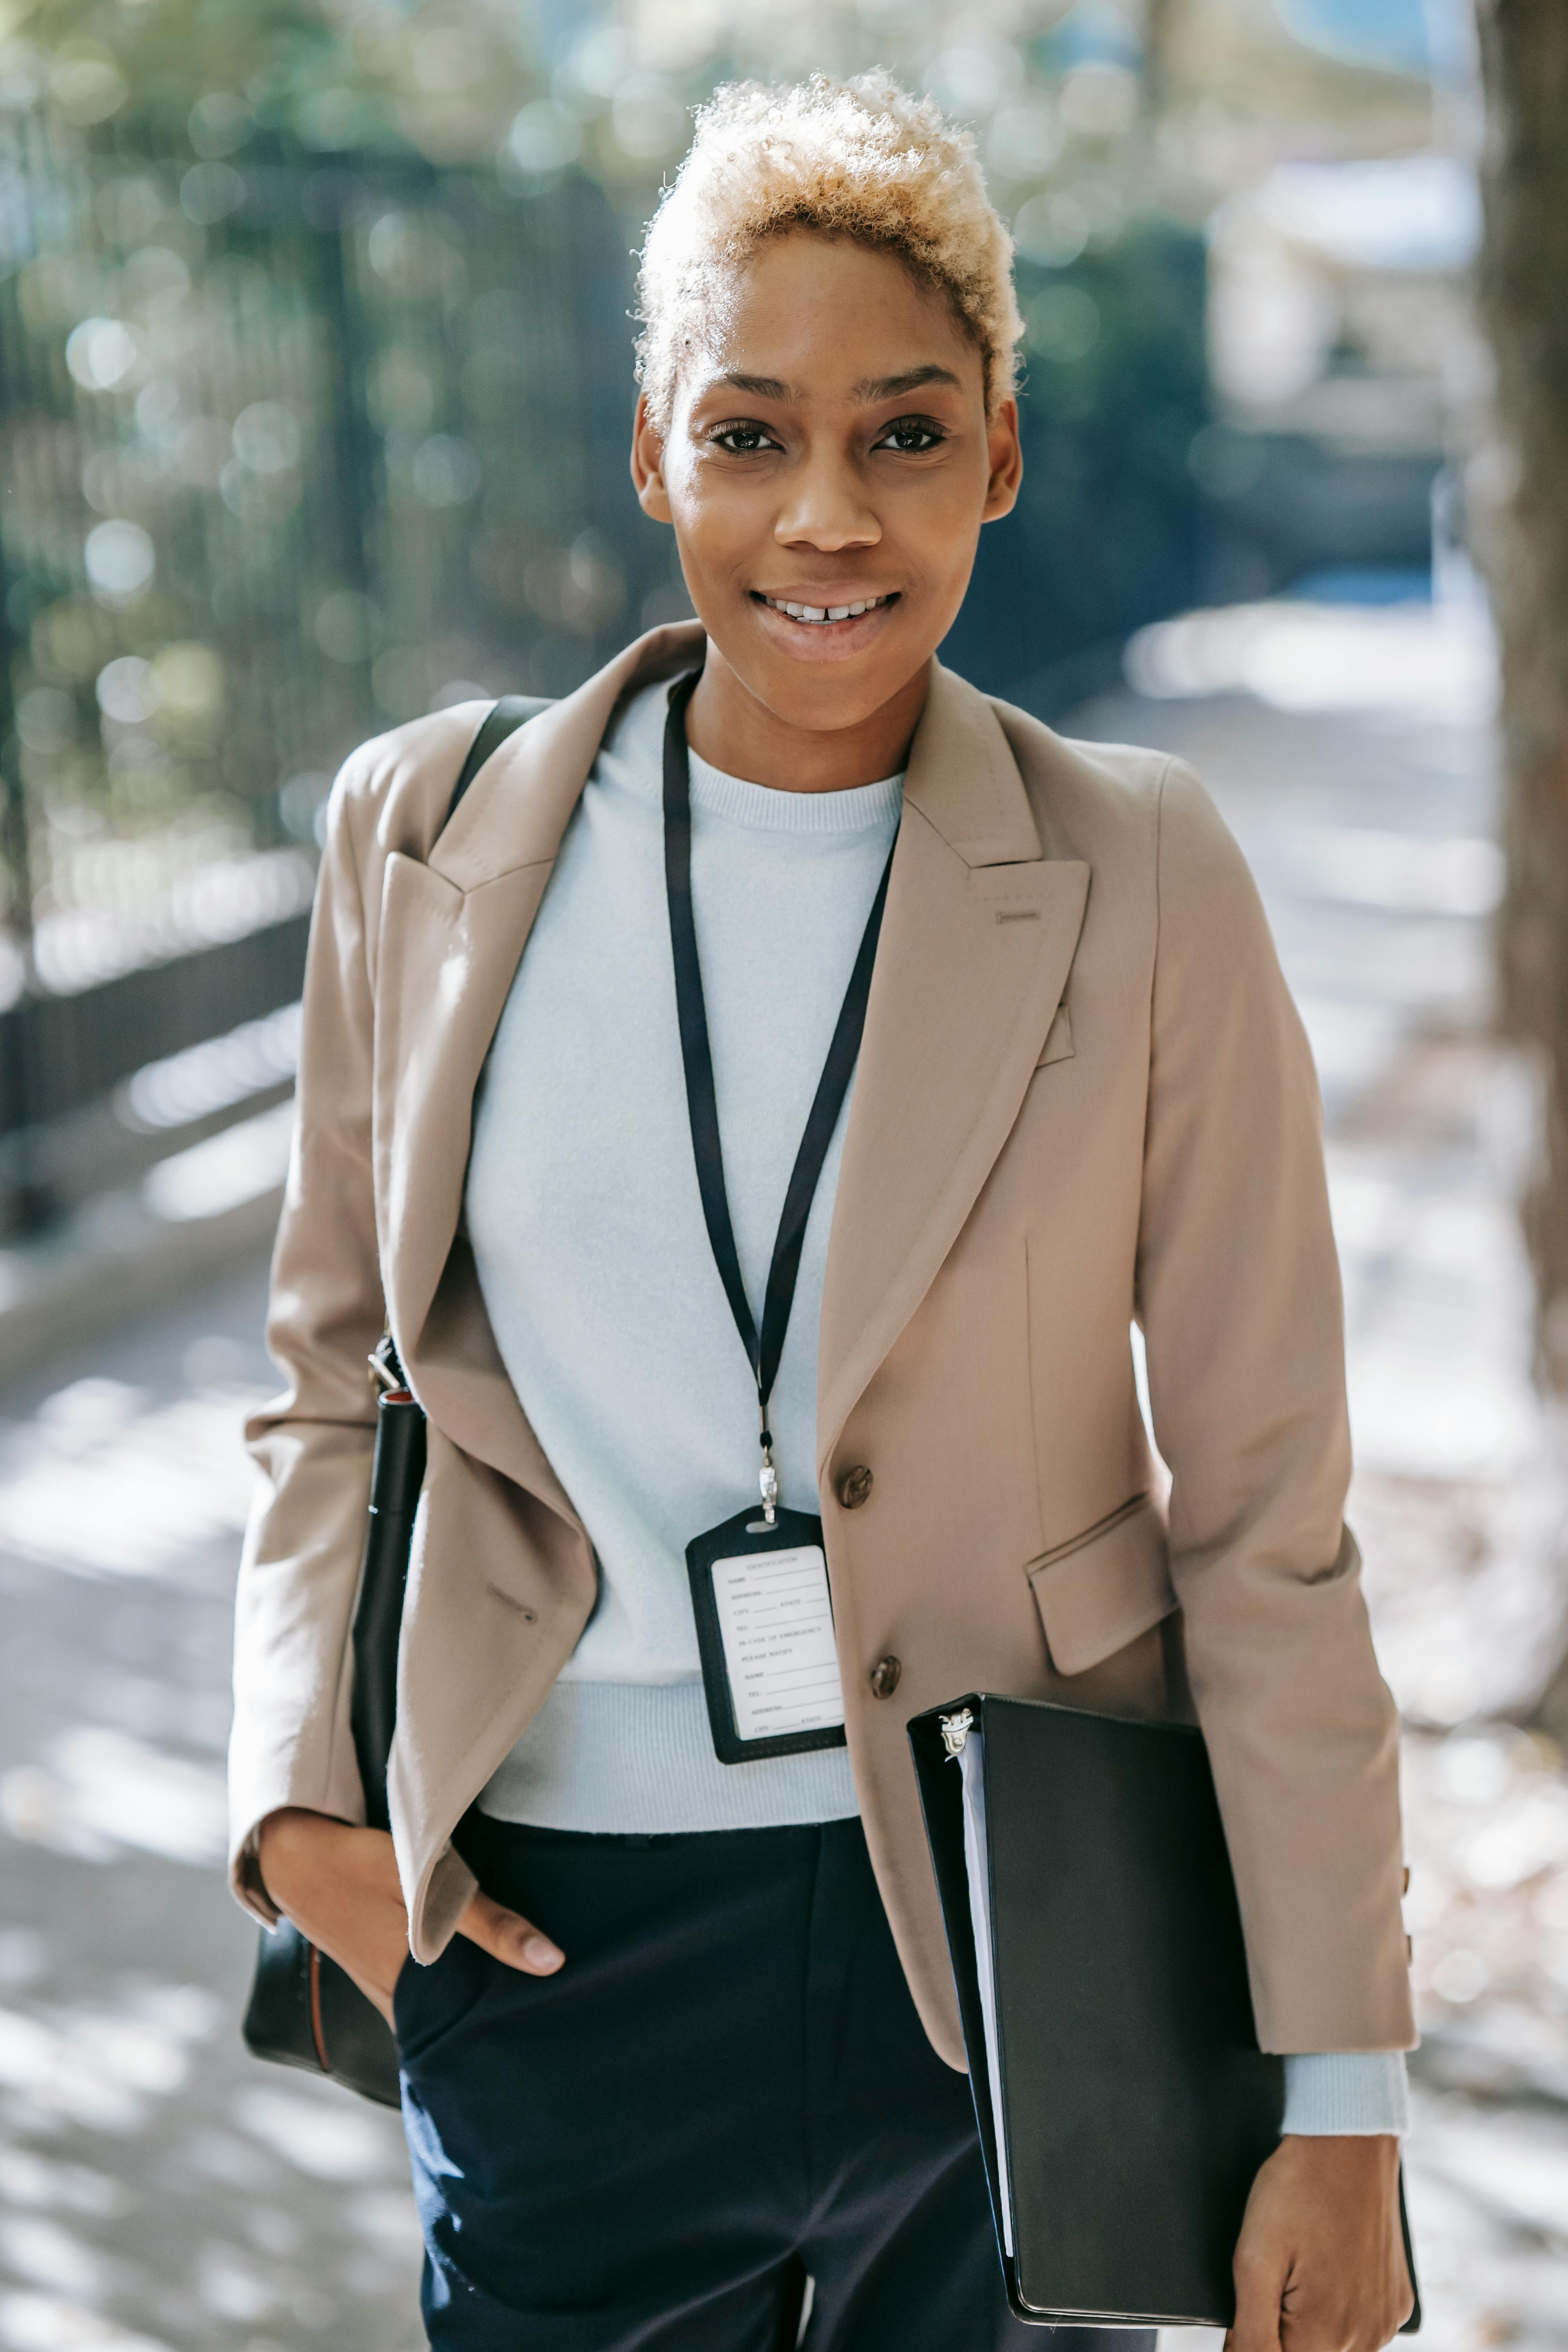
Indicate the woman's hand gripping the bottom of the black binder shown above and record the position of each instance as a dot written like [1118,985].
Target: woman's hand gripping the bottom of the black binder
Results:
[1320,2264]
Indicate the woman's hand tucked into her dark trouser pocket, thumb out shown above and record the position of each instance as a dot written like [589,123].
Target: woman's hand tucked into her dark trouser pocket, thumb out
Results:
[340,1887]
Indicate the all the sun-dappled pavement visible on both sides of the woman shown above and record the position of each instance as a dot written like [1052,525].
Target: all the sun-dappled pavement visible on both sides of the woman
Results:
[161,2193]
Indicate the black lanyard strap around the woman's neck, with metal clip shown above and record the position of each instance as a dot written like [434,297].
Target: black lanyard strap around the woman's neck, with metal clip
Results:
[763,1349]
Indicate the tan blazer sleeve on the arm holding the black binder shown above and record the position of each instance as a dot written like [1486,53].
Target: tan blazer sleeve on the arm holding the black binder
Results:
[1240,1304]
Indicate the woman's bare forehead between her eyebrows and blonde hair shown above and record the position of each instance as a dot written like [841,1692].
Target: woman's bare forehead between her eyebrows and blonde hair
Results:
[826,316]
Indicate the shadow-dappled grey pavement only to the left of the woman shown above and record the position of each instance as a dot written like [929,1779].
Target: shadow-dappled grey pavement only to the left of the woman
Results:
[159,2189]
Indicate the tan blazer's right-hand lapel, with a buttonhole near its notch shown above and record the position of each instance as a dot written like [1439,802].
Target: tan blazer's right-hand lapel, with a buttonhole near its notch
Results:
[977,944]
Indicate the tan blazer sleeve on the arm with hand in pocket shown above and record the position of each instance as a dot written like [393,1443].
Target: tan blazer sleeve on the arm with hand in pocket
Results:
[314,1445]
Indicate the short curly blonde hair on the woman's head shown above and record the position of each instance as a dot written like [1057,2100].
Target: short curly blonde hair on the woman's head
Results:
[857,161]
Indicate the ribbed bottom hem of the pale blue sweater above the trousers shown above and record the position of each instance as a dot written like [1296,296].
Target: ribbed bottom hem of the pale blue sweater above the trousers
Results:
[631,1758]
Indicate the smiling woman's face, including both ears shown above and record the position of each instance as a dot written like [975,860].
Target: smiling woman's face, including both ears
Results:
[829,450]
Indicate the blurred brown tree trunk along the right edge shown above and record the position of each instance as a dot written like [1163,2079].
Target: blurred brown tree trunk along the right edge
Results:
[1525,305]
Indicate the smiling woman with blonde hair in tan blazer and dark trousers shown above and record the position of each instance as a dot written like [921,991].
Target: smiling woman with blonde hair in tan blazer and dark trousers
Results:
[678,2031]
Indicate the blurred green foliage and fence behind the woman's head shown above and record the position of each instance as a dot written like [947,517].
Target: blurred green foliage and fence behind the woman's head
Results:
[316,352]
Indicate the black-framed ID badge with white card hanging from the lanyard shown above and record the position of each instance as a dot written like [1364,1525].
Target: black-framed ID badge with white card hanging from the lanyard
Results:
[765,1636]
